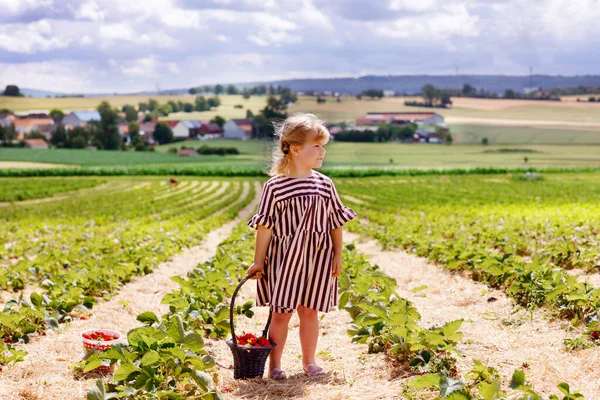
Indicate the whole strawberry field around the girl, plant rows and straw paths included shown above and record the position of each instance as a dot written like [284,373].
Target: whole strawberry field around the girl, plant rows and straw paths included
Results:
[477,285]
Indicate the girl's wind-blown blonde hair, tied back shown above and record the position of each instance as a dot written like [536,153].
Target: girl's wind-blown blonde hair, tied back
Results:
[295,130]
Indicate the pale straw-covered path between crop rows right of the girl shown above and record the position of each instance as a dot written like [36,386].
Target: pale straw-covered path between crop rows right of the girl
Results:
[492,334]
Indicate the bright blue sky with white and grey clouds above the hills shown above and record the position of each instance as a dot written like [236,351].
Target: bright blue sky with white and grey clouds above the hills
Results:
[132,45]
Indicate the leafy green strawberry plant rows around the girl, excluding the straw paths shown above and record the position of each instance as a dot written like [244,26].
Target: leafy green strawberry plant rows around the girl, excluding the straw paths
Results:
[513,232]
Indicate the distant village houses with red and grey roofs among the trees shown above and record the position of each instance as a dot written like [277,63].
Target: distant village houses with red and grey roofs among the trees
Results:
[35,129]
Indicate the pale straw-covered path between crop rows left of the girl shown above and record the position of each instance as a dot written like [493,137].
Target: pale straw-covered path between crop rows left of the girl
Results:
[46,373]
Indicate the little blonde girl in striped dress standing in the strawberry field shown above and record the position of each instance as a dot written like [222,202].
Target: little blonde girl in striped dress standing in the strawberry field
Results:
[298,254]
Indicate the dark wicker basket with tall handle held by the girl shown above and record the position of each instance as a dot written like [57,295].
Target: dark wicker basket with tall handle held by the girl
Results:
[248,362]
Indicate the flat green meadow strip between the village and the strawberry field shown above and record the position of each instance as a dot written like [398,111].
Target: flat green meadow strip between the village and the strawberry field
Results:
[339,155]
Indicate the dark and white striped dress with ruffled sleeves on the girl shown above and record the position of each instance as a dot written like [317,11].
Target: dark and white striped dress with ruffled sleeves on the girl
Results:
[298,265]
